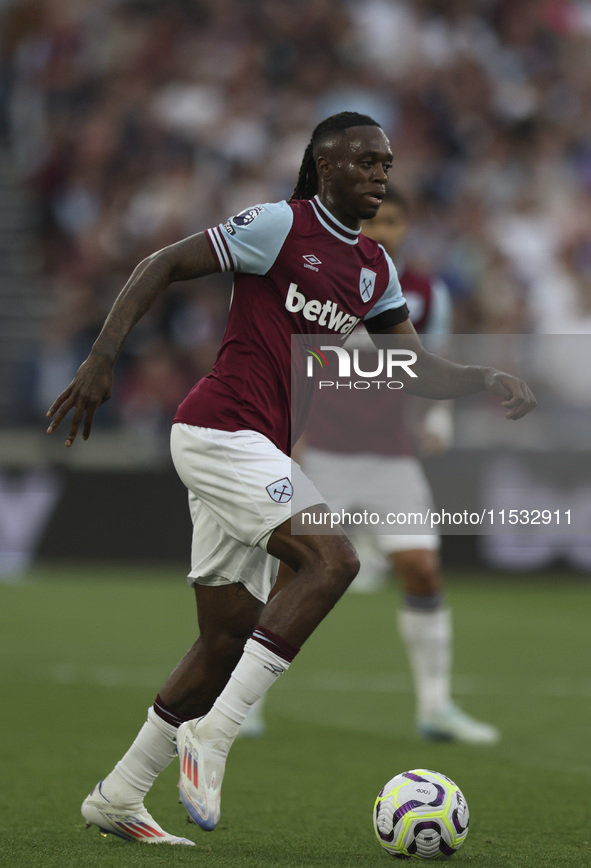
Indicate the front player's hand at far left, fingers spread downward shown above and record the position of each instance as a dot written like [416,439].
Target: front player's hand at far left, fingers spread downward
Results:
[91,387]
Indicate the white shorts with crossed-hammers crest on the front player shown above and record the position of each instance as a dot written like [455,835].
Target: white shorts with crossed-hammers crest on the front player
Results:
[241,487]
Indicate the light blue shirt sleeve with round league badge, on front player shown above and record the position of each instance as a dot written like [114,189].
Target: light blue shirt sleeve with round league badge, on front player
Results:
[250,242]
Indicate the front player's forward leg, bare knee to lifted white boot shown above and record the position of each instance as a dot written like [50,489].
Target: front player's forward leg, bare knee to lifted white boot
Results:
[323,569]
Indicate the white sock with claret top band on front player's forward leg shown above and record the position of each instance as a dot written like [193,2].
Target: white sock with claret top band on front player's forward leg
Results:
[266,656]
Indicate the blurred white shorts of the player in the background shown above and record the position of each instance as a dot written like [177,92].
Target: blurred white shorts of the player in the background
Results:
[379,484]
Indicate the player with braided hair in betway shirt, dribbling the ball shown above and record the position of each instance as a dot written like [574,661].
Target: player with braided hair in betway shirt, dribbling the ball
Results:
[231,440]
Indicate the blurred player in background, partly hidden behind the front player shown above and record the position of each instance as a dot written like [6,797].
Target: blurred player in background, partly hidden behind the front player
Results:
[378,470]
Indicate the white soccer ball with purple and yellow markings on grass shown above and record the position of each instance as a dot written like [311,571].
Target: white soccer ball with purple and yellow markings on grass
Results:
[421,814]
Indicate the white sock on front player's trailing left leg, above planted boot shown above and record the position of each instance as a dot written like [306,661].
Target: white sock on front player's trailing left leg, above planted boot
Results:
[152,751]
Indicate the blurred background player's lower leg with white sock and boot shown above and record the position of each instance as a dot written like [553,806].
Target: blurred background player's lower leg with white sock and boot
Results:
[426,629]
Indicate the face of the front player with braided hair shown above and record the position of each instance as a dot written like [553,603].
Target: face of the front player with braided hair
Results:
[353,175]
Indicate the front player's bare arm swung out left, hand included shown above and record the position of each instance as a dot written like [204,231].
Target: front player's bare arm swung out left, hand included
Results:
[93,382]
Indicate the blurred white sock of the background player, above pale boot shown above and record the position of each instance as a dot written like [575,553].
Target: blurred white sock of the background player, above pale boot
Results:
[426,629]
